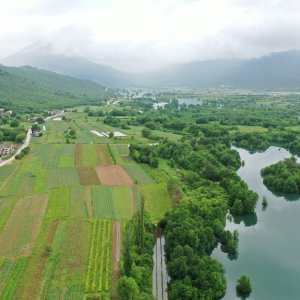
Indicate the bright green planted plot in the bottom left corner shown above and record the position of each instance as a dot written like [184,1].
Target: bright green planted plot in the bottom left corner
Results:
[10,272]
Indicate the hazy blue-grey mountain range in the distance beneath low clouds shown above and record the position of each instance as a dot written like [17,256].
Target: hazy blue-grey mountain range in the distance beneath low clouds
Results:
[276,71]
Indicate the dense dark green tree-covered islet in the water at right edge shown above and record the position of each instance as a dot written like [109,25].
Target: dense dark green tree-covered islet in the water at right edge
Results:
[283,176]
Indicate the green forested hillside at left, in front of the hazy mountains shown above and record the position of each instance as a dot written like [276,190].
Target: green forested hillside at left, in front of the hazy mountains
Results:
[29,89]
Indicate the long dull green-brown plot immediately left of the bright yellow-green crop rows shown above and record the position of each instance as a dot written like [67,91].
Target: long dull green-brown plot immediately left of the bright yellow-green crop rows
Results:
[69,276]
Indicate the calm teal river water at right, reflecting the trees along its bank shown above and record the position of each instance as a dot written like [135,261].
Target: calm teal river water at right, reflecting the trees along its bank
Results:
[269,246]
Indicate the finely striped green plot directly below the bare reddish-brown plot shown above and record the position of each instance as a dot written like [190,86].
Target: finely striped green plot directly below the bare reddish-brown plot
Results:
[103,203]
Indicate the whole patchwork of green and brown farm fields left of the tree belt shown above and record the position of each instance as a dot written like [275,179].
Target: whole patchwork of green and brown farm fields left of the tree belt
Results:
[64,205]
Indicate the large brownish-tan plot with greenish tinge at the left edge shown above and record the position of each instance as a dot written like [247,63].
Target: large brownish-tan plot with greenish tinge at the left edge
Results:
[18,237]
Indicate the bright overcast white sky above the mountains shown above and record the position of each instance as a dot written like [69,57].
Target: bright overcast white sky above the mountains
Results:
[142,35]
